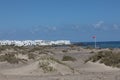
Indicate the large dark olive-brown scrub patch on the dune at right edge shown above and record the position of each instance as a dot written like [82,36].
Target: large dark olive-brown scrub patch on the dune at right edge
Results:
[107,57]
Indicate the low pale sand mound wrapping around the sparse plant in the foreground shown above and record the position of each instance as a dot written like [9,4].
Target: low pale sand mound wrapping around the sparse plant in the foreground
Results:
[33,69]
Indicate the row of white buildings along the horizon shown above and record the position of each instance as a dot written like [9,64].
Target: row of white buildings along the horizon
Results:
[34,42]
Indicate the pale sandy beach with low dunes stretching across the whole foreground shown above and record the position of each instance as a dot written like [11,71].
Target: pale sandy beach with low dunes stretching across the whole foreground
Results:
[59,69]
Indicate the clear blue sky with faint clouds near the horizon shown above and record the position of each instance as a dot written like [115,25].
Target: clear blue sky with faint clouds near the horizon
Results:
[74,20]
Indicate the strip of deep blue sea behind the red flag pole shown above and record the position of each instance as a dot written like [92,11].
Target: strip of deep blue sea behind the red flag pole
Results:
[103,44]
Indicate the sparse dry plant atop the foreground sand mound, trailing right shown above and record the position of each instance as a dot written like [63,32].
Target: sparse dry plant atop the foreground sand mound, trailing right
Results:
[47,63]
